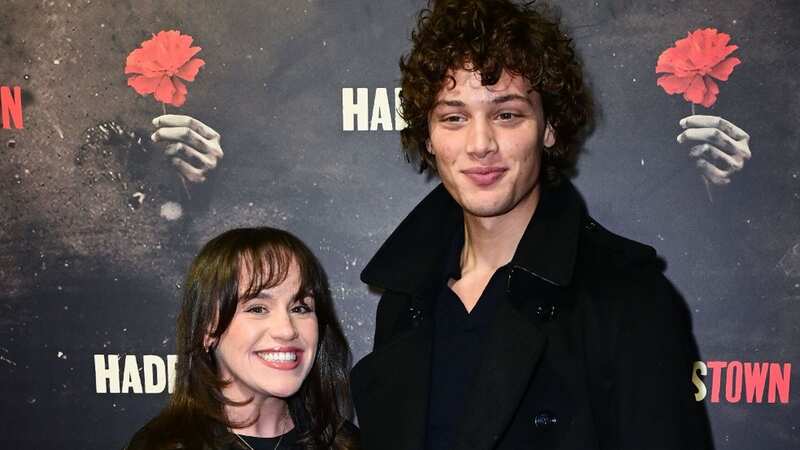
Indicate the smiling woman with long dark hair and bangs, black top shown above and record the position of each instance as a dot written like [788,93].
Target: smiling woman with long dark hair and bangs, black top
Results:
[262,359]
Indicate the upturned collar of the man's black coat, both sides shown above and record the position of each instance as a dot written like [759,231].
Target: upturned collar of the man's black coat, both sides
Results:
[417,249]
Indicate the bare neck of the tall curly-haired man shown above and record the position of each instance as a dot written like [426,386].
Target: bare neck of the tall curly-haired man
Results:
[490,242]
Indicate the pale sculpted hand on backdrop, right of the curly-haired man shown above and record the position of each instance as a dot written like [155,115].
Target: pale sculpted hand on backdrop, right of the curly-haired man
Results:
[715,139]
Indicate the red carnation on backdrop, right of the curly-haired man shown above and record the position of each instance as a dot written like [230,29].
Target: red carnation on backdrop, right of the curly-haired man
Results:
[693,64]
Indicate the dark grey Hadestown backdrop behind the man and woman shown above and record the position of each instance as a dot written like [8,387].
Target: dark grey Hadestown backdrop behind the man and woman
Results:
[97,228]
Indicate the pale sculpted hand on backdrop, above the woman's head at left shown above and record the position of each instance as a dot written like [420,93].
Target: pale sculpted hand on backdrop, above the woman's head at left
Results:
[189,139]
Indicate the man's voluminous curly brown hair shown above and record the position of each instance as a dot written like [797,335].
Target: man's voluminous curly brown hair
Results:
[488,37]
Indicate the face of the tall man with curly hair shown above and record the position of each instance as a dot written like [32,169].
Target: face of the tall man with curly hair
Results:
[488,141]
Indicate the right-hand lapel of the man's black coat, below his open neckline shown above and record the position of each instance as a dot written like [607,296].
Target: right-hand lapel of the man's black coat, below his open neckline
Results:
[510,355]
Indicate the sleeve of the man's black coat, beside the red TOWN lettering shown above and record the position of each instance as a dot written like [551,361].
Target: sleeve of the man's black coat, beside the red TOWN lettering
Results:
[656,351]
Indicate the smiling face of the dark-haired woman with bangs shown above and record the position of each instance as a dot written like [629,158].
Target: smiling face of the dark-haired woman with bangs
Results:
[271,343]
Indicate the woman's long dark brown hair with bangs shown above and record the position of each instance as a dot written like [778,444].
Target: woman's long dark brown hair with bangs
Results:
[261,257]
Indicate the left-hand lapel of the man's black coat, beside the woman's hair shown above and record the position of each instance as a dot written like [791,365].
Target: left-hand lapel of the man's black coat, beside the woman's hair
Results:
[393,403]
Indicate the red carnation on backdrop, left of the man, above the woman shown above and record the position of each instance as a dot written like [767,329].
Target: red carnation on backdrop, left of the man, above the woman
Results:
[159,65]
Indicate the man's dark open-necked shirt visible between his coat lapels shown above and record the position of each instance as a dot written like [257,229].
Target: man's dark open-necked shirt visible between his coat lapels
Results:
[457,348]
